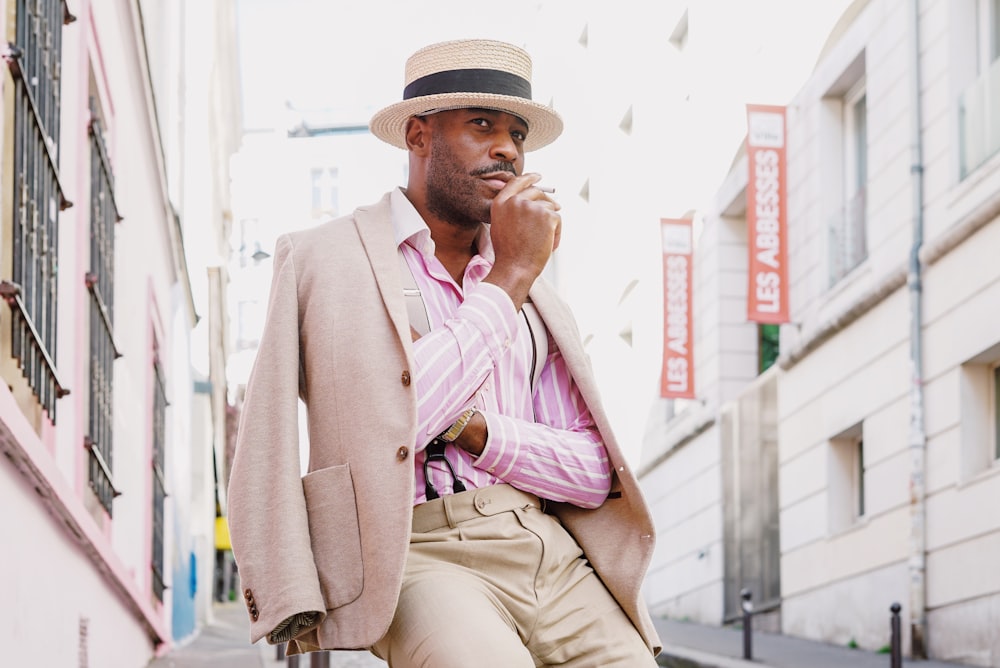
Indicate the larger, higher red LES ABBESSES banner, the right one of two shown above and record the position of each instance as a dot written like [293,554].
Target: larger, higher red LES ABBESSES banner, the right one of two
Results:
[767,217]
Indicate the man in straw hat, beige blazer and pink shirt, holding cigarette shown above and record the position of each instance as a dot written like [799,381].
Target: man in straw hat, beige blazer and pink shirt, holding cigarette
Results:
[466,503]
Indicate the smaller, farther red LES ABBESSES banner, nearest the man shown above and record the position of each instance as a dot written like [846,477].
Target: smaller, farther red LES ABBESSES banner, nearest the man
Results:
[677,378]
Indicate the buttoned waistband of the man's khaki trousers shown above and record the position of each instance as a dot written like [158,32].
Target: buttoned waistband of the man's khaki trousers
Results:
[453,509]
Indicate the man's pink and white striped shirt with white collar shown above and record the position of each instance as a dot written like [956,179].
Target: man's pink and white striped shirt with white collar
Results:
[478,353]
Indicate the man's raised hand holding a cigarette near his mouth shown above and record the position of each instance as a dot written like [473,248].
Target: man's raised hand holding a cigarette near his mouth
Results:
[525,227]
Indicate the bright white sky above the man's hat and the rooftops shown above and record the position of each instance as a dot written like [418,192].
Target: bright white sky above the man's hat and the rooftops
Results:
[346,57]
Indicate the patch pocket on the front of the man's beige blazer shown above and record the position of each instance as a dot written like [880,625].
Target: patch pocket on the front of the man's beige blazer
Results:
[335,535]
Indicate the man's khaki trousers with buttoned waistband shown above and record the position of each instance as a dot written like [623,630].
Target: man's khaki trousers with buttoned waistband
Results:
[491,581]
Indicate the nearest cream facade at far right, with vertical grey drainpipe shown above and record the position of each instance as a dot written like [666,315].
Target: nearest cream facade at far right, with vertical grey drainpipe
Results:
[888,407]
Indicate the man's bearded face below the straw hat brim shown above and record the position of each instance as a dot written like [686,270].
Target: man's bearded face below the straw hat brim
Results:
[473,154]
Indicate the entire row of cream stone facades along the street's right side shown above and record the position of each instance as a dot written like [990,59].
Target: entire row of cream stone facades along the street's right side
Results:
[862,469]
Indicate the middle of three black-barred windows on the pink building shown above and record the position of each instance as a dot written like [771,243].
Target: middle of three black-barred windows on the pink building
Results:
[100,283]
